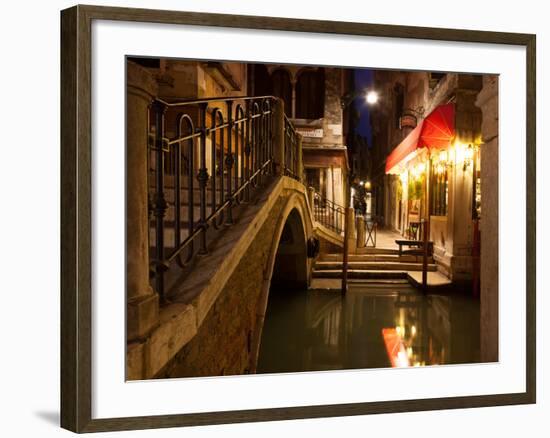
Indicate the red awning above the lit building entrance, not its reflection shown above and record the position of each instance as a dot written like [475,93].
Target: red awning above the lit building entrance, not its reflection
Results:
[436,131]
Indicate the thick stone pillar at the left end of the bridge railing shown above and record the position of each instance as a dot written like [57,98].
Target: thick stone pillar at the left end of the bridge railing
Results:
[142,301]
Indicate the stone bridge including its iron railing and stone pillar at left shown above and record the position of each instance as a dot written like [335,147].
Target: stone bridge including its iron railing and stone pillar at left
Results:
[205,316]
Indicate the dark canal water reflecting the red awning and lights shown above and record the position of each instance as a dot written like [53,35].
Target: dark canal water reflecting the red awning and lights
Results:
[373,326]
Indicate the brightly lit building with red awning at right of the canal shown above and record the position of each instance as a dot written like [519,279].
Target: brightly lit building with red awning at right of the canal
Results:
[427,143]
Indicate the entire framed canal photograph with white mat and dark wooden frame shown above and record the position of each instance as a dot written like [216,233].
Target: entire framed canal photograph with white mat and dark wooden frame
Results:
[268,219]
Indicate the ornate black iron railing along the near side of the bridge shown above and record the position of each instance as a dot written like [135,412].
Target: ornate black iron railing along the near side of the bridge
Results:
[205,156]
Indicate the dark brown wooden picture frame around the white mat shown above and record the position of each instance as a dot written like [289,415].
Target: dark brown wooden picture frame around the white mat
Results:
[76,218]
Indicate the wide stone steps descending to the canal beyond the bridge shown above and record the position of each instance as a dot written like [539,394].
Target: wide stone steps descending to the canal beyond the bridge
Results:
[371,264]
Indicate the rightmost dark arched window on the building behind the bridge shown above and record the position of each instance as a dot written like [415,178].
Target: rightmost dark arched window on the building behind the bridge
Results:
[310,94]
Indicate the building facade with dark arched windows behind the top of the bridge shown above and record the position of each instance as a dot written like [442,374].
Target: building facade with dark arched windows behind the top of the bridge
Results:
[313,102]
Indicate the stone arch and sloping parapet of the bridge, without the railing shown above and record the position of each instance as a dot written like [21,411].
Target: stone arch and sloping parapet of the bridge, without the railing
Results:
[213,323]
